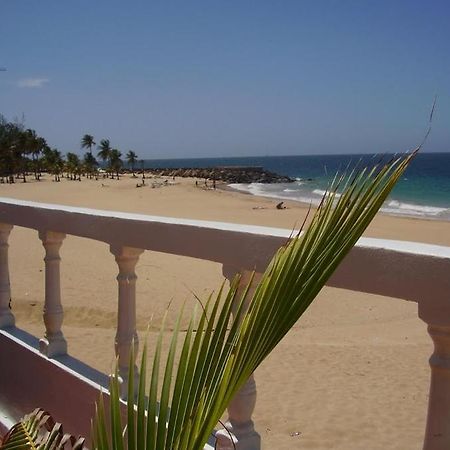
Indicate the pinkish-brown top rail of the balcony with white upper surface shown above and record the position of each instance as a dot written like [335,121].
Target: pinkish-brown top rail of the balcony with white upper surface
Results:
[408,270]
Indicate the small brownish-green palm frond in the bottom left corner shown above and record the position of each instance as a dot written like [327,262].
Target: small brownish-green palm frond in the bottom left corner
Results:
[38,431]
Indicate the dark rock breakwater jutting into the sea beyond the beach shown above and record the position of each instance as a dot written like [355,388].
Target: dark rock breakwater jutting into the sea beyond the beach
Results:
[232,174]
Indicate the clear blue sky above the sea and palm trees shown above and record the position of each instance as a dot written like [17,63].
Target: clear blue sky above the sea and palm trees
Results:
[212,78]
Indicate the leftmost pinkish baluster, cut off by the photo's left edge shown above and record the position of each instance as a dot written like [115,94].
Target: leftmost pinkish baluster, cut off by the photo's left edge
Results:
[6,316]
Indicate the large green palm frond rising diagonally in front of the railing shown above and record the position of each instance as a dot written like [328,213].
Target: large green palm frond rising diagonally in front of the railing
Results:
[227,343]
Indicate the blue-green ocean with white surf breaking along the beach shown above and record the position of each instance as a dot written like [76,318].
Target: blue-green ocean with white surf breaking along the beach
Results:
[423,191]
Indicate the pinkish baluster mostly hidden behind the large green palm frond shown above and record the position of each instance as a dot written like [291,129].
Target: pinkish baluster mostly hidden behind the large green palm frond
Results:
[240,409]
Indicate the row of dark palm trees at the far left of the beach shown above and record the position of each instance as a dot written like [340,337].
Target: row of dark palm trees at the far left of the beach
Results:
[23,151]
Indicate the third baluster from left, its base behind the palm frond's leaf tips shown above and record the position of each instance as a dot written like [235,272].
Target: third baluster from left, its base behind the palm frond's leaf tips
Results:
[126,258]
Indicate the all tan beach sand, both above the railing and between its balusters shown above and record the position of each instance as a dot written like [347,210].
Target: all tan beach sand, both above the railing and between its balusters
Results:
[352,373]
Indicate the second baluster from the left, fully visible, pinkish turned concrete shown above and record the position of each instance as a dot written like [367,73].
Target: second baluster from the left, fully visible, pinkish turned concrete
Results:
[53,343]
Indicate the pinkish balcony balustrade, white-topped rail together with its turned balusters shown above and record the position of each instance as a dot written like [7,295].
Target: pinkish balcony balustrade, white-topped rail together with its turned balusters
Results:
[410,271]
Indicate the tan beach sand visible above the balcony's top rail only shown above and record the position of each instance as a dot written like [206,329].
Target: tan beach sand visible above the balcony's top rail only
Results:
[183,199]
